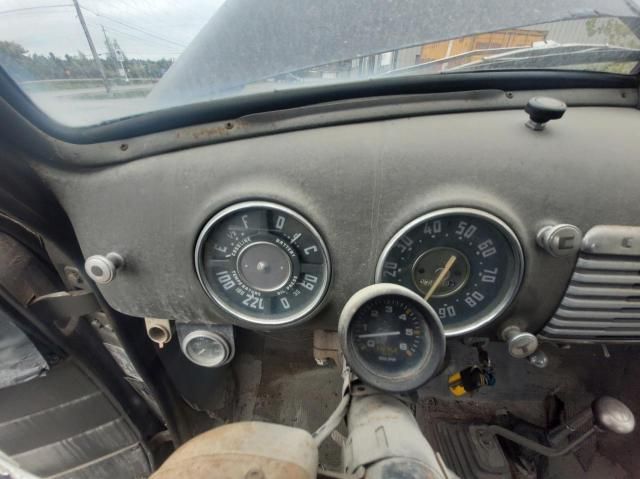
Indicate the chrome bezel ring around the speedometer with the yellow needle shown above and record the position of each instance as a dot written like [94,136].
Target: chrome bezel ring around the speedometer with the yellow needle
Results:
[514,244]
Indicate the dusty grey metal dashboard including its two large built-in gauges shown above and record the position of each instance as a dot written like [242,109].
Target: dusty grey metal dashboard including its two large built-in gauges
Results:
[278,231]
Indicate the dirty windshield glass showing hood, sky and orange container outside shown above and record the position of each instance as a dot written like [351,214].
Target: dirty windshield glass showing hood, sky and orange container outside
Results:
[85,62]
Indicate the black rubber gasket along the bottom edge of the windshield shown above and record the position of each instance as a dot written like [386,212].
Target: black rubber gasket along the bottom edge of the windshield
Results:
[235,107]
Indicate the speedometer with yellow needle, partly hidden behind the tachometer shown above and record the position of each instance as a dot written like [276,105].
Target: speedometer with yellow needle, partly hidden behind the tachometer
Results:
[466,263]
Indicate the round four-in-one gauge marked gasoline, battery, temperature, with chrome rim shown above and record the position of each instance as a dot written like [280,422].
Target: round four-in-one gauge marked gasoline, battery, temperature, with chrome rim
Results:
[263,263]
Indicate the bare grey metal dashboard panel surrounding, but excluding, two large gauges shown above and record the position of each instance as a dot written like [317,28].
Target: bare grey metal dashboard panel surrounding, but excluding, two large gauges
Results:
[358,184]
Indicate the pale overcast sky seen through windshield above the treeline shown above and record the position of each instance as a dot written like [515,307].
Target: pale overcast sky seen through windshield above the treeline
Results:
[149,29]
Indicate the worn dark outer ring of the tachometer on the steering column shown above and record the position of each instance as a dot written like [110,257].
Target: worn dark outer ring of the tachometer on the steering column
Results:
[409,381]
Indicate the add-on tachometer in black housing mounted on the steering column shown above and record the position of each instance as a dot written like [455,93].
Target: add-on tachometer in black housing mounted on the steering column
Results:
[391,337]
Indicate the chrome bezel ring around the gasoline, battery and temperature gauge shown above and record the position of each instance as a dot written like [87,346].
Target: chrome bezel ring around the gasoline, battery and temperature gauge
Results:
[297,317]
